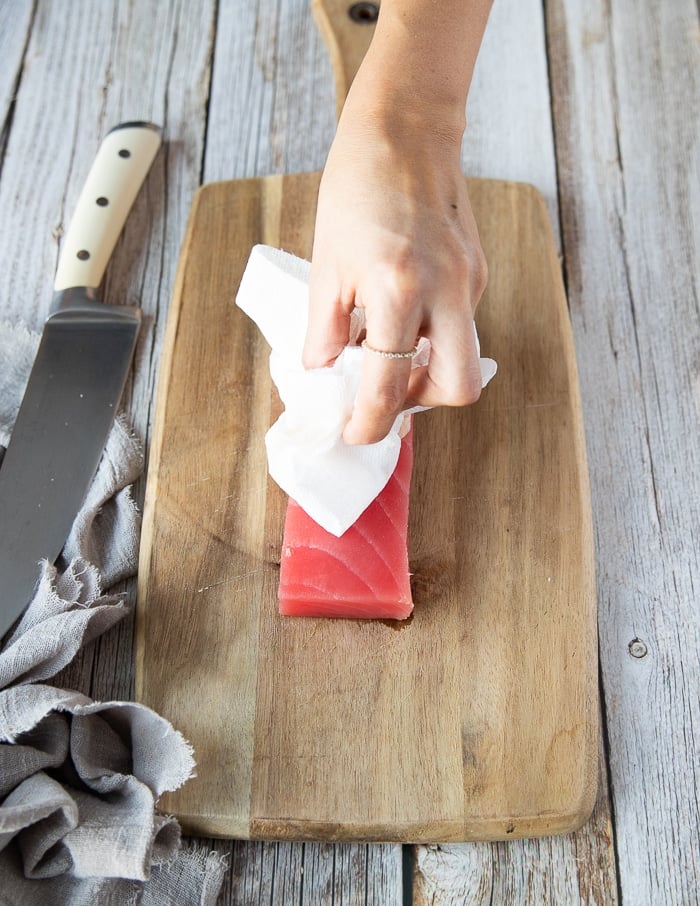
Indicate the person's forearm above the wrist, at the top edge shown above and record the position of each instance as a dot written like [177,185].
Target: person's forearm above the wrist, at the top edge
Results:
[421,60]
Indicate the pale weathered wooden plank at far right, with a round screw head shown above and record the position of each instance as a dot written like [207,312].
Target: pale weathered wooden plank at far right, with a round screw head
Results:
[626,105]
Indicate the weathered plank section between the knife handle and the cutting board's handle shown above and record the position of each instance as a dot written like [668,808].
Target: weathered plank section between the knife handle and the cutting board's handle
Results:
[271,108]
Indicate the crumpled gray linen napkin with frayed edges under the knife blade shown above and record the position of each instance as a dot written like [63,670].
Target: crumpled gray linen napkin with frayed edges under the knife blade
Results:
[79,780]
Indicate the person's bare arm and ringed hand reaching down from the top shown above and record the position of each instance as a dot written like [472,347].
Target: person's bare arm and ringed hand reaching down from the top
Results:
[395,234]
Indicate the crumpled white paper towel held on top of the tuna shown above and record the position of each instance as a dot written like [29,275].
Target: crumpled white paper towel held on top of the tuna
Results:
[332,481]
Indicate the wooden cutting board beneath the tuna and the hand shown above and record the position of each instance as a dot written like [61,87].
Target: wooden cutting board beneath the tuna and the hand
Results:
[474,720]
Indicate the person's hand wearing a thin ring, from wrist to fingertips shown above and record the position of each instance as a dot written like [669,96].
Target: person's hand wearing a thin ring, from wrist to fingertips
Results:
[395,235]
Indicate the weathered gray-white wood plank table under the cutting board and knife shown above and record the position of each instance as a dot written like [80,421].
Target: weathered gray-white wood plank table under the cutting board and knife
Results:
[598,105]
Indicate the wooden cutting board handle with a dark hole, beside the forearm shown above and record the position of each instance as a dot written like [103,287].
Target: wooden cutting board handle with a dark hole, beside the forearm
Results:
[347,28]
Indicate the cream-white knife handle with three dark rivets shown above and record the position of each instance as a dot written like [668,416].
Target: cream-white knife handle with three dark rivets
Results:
[120,167]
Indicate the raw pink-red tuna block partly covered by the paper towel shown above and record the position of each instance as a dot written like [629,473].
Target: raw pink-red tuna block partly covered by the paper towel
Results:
[364,573]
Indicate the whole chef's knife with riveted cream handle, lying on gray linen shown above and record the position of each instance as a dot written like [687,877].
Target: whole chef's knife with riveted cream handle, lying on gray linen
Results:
[77,377]
